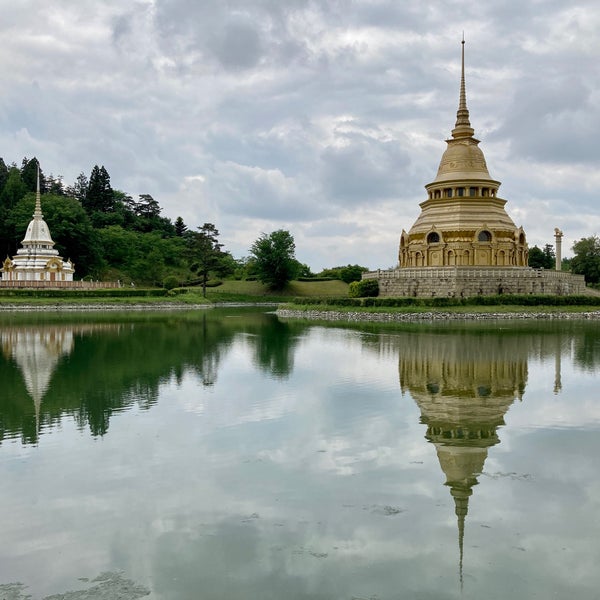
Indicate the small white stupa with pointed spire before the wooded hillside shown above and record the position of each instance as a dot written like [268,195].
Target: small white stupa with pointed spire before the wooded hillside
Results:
[37,260]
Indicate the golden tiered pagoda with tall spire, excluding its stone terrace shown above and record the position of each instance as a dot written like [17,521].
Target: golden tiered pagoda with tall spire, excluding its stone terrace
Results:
[463,221]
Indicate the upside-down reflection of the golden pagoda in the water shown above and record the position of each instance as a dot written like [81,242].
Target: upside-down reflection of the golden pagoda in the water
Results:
[464,385]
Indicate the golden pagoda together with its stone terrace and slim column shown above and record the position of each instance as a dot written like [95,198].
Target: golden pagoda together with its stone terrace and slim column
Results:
[464,243]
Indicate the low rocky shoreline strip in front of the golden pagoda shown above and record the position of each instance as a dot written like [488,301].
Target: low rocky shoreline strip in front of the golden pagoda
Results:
[358,316]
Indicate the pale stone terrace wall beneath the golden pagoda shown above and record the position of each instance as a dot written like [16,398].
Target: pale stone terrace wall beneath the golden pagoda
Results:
[429,282]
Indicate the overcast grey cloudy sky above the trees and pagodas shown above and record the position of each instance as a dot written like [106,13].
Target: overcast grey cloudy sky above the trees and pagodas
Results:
[323,117]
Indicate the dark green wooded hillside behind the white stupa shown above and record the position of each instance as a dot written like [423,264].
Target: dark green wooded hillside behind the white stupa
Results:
[106,232]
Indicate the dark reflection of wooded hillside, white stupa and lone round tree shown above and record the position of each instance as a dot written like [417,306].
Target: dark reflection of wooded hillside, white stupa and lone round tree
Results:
[92,370]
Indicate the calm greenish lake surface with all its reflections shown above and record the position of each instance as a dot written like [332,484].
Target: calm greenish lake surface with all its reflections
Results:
[230,455]
